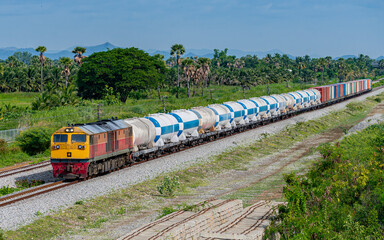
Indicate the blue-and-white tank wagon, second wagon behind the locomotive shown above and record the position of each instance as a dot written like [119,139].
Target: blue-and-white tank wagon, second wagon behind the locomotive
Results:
[166,128]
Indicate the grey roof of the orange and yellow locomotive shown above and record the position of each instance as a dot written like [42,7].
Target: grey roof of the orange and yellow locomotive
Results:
[103,126]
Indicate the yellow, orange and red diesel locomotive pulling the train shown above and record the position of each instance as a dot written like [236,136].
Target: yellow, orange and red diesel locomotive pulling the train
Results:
[83,150]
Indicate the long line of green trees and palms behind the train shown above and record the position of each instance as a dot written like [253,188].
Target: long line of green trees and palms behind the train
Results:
[133,73]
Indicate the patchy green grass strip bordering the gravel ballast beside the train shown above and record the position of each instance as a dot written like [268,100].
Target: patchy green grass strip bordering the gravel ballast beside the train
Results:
[123,203]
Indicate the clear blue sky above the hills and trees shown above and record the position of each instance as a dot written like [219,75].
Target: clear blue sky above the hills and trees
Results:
[297,27]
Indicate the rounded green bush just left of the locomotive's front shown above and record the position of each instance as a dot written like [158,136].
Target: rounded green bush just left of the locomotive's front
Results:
[35,140]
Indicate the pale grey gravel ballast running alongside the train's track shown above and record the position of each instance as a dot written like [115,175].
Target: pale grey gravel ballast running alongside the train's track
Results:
[24,212]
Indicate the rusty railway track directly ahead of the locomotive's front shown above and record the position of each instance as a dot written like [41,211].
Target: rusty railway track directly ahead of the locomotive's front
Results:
[32,192]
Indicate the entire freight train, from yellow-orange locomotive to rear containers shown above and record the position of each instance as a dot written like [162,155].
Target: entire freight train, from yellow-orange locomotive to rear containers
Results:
[86,150]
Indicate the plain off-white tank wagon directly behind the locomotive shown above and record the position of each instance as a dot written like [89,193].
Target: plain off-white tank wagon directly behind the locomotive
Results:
[143,132]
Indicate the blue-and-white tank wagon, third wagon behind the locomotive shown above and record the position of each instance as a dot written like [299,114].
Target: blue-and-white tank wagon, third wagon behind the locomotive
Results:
[188,123]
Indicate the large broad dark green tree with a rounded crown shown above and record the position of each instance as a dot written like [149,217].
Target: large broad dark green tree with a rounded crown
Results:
[125,70]
